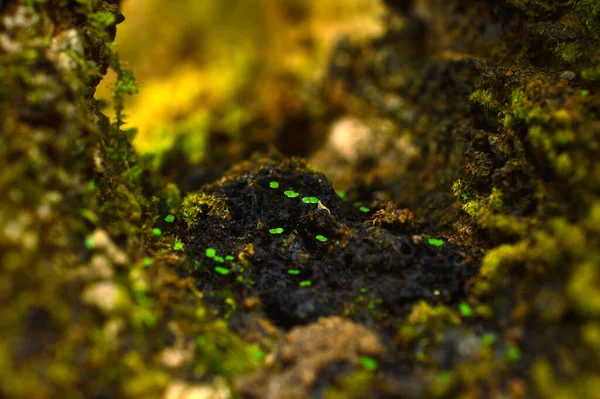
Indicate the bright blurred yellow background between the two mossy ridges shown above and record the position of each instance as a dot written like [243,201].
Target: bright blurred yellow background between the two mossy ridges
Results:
[194,58]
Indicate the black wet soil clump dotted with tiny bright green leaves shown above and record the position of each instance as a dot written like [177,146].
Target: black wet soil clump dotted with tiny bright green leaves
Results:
[277,231]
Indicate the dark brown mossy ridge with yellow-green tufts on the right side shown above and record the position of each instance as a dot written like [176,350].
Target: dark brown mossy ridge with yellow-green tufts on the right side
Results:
[513,119]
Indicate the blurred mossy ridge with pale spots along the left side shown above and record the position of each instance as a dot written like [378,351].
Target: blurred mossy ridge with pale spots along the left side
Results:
[78,219]
